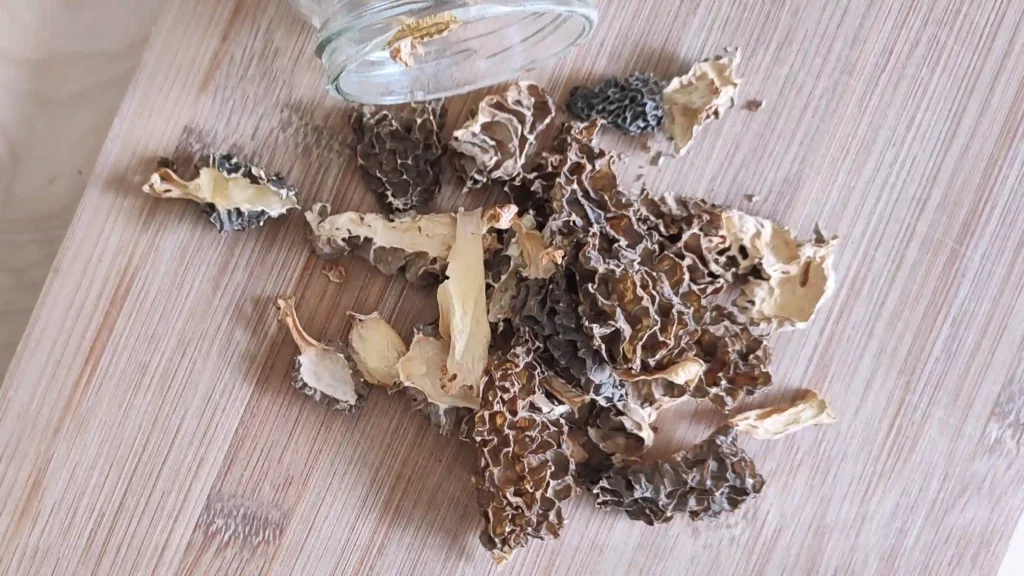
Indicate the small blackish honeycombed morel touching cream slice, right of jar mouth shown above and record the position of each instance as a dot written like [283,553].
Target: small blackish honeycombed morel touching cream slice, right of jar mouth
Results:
[632,105]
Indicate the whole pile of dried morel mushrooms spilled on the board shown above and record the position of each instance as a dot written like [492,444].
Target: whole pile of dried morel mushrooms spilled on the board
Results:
[568,319]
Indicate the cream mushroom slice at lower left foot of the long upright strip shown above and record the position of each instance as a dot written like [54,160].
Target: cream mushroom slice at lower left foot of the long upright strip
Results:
[421,373]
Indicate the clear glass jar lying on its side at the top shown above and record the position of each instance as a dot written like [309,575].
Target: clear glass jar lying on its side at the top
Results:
[485,43]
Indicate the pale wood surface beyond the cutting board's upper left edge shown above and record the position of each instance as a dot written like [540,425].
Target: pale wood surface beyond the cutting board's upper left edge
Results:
[64,69]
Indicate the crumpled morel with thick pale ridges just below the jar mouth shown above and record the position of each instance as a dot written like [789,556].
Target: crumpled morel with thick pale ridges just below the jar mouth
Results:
[498,142]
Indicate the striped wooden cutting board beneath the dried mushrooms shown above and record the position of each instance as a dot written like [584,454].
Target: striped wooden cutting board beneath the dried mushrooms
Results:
[147,424]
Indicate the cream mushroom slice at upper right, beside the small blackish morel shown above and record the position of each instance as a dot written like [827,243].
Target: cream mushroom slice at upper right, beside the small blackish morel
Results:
[703,95]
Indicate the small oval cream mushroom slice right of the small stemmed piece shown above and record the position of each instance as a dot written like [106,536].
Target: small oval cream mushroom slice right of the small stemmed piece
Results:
[376,348]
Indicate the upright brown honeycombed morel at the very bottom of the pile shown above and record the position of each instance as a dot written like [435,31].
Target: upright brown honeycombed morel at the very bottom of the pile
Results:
[526,471]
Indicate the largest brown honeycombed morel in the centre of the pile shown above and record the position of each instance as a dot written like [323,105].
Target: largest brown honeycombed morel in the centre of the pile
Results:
[637,273]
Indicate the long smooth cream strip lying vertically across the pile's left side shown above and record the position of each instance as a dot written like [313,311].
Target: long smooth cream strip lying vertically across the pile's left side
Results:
[463,303]
